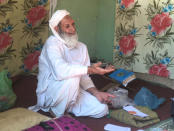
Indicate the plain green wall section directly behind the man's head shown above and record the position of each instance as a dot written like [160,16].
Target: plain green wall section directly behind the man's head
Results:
[85,13]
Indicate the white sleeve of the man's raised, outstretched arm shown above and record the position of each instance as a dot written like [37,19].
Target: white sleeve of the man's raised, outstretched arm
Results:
[59,65]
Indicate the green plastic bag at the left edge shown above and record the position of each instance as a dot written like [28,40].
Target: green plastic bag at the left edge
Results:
[7,96]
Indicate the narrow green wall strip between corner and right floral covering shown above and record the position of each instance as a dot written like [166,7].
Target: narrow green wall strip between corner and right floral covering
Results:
[105,30]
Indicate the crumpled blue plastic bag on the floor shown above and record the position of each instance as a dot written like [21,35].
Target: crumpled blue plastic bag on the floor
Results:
[146,98]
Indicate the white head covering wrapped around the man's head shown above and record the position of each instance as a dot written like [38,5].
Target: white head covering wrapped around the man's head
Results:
[55,20]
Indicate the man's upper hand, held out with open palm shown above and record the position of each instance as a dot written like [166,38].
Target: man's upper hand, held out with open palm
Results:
[96,69]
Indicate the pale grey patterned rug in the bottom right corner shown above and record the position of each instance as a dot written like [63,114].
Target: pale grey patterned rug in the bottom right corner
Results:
[166,125]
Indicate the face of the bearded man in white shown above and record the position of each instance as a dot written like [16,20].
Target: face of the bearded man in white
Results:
[67,26]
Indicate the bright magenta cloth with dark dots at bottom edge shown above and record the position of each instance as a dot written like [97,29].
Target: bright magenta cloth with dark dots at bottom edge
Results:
[63,123]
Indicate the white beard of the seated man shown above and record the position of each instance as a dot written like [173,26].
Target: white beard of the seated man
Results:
[70,41]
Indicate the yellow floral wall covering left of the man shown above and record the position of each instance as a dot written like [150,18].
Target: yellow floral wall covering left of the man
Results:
[23,31]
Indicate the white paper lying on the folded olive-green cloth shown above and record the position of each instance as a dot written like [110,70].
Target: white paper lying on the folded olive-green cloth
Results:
[136,111]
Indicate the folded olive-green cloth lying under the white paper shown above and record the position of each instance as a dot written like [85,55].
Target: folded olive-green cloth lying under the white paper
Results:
[133,120]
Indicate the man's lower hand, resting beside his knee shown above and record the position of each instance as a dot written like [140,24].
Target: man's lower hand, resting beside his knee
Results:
[103,97]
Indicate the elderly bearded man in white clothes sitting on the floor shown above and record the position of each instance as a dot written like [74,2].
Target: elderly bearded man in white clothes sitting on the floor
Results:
[64,67]
